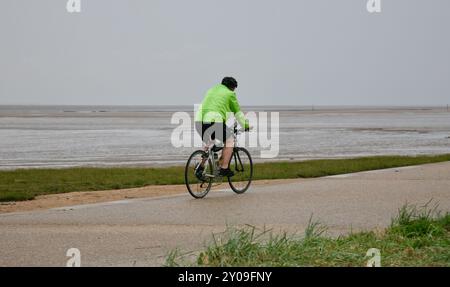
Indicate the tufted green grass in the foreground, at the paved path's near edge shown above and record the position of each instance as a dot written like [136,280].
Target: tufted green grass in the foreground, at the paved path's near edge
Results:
[416,237]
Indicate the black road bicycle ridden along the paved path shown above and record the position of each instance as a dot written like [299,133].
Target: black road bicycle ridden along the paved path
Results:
[199,182]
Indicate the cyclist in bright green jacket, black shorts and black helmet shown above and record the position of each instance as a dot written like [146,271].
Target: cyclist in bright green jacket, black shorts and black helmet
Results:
[219,102]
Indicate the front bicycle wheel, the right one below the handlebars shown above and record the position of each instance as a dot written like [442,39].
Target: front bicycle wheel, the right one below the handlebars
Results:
[242,165]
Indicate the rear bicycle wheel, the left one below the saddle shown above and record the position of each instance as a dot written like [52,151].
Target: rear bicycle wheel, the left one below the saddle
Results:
[198,184]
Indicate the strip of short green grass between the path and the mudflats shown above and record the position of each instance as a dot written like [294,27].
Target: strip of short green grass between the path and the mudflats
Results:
[26,184]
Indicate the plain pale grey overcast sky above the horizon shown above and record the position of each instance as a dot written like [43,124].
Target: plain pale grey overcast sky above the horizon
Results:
[287,52]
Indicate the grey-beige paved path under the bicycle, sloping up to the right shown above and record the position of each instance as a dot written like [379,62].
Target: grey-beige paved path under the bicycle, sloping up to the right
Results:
[140,232]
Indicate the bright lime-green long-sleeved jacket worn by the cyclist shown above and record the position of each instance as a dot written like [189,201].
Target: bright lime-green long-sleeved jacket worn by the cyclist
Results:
[218,102]
